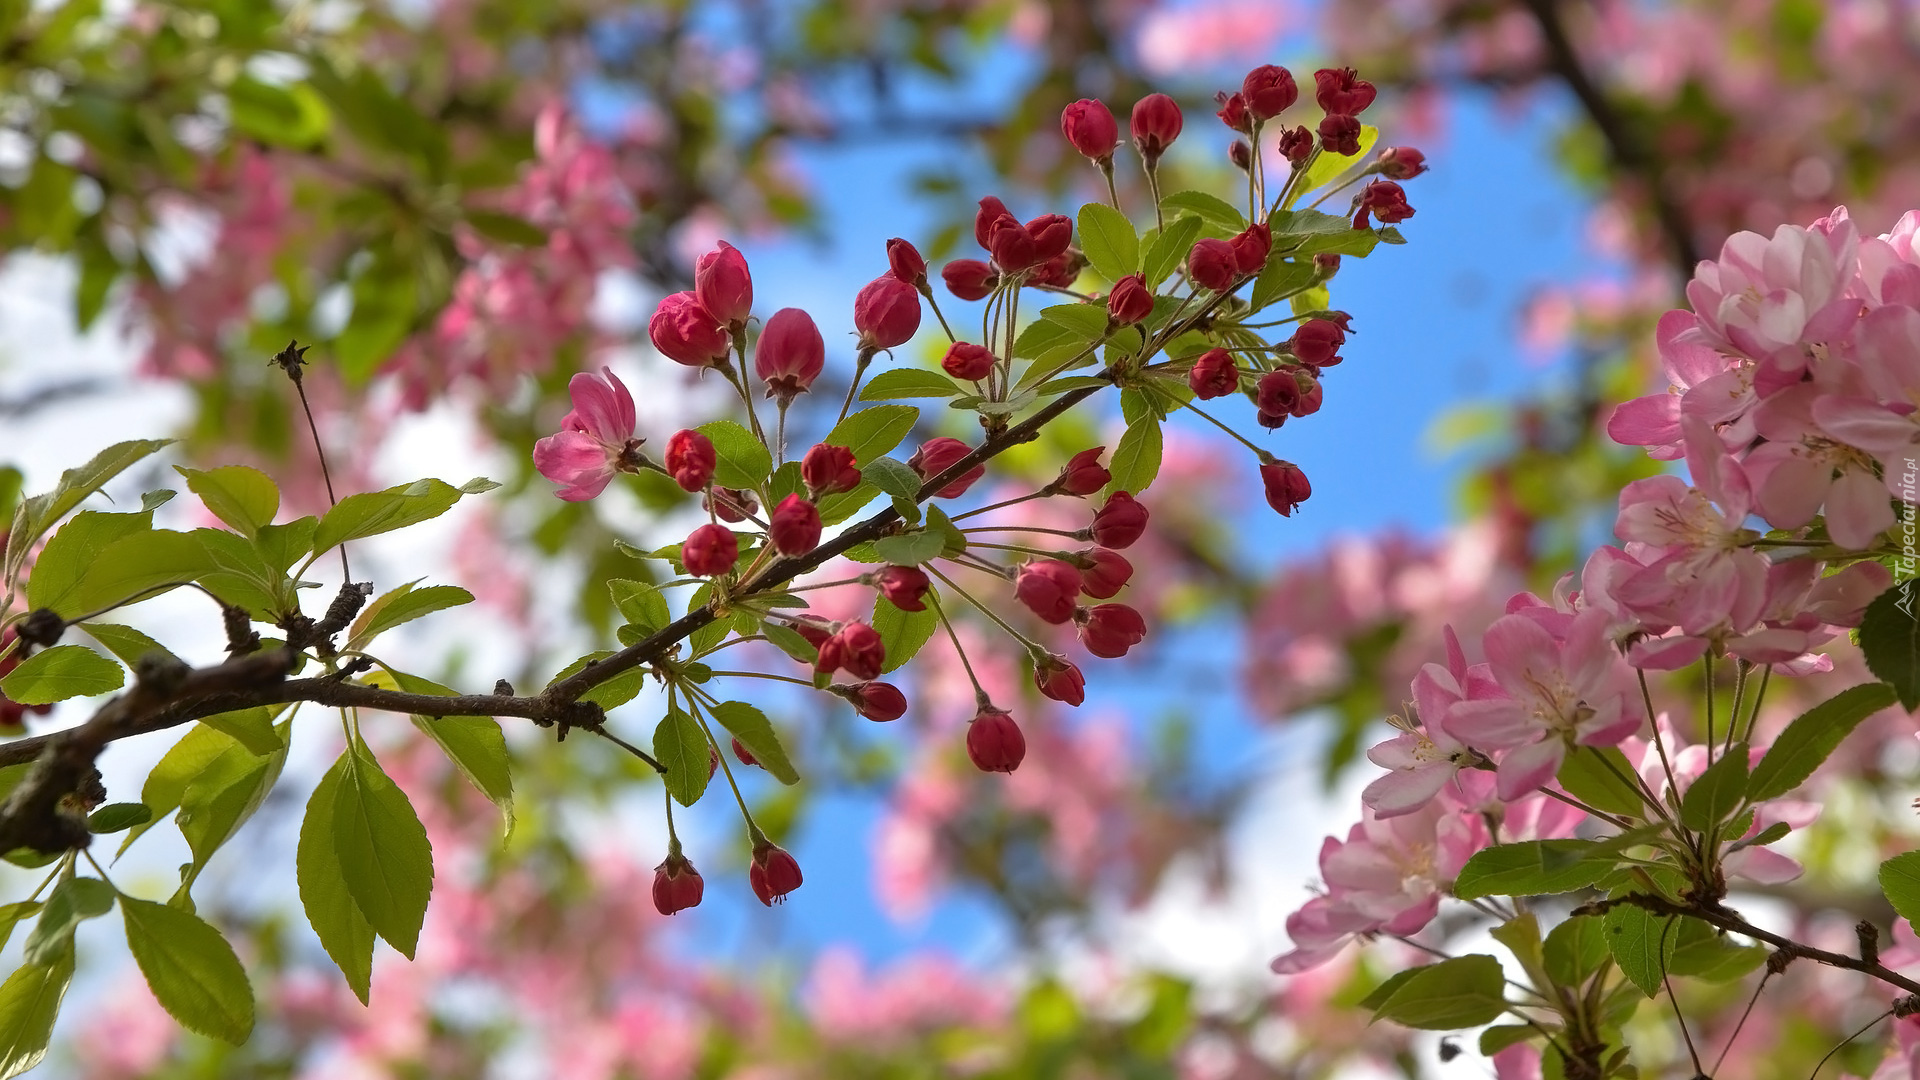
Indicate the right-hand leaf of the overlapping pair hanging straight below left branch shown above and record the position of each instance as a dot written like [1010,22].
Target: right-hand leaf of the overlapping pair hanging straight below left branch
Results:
[385,856]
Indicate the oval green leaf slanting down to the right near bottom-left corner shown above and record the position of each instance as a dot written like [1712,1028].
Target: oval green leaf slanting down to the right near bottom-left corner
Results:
[191,970]
